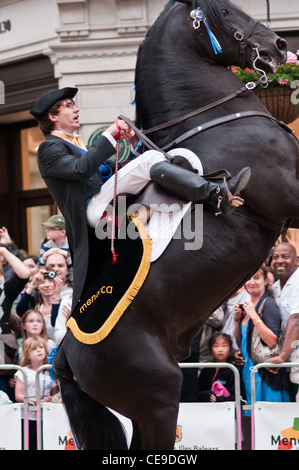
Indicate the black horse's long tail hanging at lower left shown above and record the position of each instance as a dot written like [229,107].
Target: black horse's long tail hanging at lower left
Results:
[93,425]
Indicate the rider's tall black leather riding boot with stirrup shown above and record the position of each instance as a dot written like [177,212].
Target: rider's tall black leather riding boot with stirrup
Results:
[192,187]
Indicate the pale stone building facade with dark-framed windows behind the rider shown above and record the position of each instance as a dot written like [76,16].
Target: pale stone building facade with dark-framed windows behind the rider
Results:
[89,44]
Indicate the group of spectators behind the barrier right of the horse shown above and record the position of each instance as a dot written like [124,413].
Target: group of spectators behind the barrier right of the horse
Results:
[268,303]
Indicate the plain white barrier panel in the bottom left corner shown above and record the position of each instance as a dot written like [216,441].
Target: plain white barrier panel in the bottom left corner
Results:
[11,432]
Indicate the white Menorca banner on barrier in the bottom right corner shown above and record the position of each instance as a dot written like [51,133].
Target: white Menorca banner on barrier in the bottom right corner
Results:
[276,426]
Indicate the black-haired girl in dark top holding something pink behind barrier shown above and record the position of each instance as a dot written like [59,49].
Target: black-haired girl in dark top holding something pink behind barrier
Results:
[217,385]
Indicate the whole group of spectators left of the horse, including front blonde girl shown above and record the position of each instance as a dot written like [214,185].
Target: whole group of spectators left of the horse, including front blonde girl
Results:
[35,304]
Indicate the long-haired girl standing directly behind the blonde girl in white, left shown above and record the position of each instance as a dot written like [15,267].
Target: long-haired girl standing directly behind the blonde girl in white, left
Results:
[33,324]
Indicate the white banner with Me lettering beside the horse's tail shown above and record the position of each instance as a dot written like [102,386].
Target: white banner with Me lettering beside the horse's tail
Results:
[57,434]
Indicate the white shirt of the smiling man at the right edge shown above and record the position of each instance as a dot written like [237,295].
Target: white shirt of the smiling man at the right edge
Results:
[287,298]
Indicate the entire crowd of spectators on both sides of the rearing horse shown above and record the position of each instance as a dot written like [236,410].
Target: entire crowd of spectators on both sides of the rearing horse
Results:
[35,303]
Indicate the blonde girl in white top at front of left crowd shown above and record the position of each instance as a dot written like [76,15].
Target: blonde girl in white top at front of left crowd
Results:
[34,356]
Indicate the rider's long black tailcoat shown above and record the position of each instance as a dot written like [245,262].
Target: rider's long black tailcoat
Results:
[72,178]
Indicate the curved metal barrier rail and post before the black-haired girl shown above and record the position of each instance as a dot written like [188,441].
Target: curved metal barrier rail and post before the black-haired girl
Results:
[213,365]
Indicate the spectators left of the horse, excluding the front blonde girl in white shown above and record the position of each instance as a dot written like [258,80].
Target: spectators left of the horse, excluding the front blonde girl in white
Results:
[35,298]
